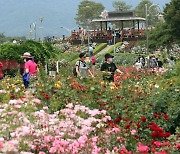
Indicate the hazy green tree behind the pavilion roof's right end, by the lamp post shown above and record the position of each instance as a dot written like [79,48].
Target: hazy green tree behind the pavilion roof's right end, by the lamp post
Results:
[140,11]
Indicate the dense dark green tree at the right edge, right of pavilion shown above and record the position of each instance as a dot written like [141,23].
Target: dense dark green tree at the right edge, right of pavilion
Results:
[168,32]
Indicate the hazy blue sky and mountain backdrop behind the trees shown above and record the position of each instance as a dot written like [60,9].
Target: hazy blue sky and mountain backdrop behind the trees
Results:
[17,15]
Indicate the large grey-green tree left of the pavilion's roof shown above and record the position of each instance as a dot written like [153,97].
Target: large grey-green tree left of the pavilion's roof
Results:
[88,10]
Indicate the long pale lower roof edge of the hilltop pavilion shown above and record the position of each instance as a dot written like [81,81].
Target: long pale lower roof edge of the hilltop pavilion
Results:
[119,19]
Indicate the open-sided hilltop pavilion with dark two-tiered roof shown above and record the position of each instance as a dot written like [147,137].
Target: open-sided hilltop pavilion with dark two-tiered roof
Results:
[120,18]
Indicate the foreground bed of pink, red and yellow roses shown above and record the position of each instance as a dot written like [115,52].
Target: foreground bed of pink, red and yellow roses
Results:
[139,113]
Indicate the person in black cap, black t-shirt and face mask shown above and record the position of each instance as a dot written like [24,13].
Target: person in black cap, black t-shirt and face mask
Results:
[108,68]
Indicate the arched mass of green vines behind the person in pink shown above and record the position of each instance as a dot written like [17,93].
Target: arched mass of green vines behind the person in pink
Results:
[40,52]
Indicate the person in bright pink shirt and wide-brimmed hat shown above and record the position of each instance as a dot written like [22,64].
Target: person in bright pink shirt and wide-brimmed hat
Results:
[30,69]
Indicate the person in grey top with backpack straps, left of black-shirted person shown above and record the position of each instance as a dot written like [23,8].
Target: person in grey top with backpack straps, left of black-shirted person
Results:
[81,67]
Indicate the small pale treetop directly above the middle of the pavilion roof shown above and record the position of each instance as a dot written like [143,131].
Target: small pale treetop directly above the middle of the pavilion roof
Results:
[121,5]
